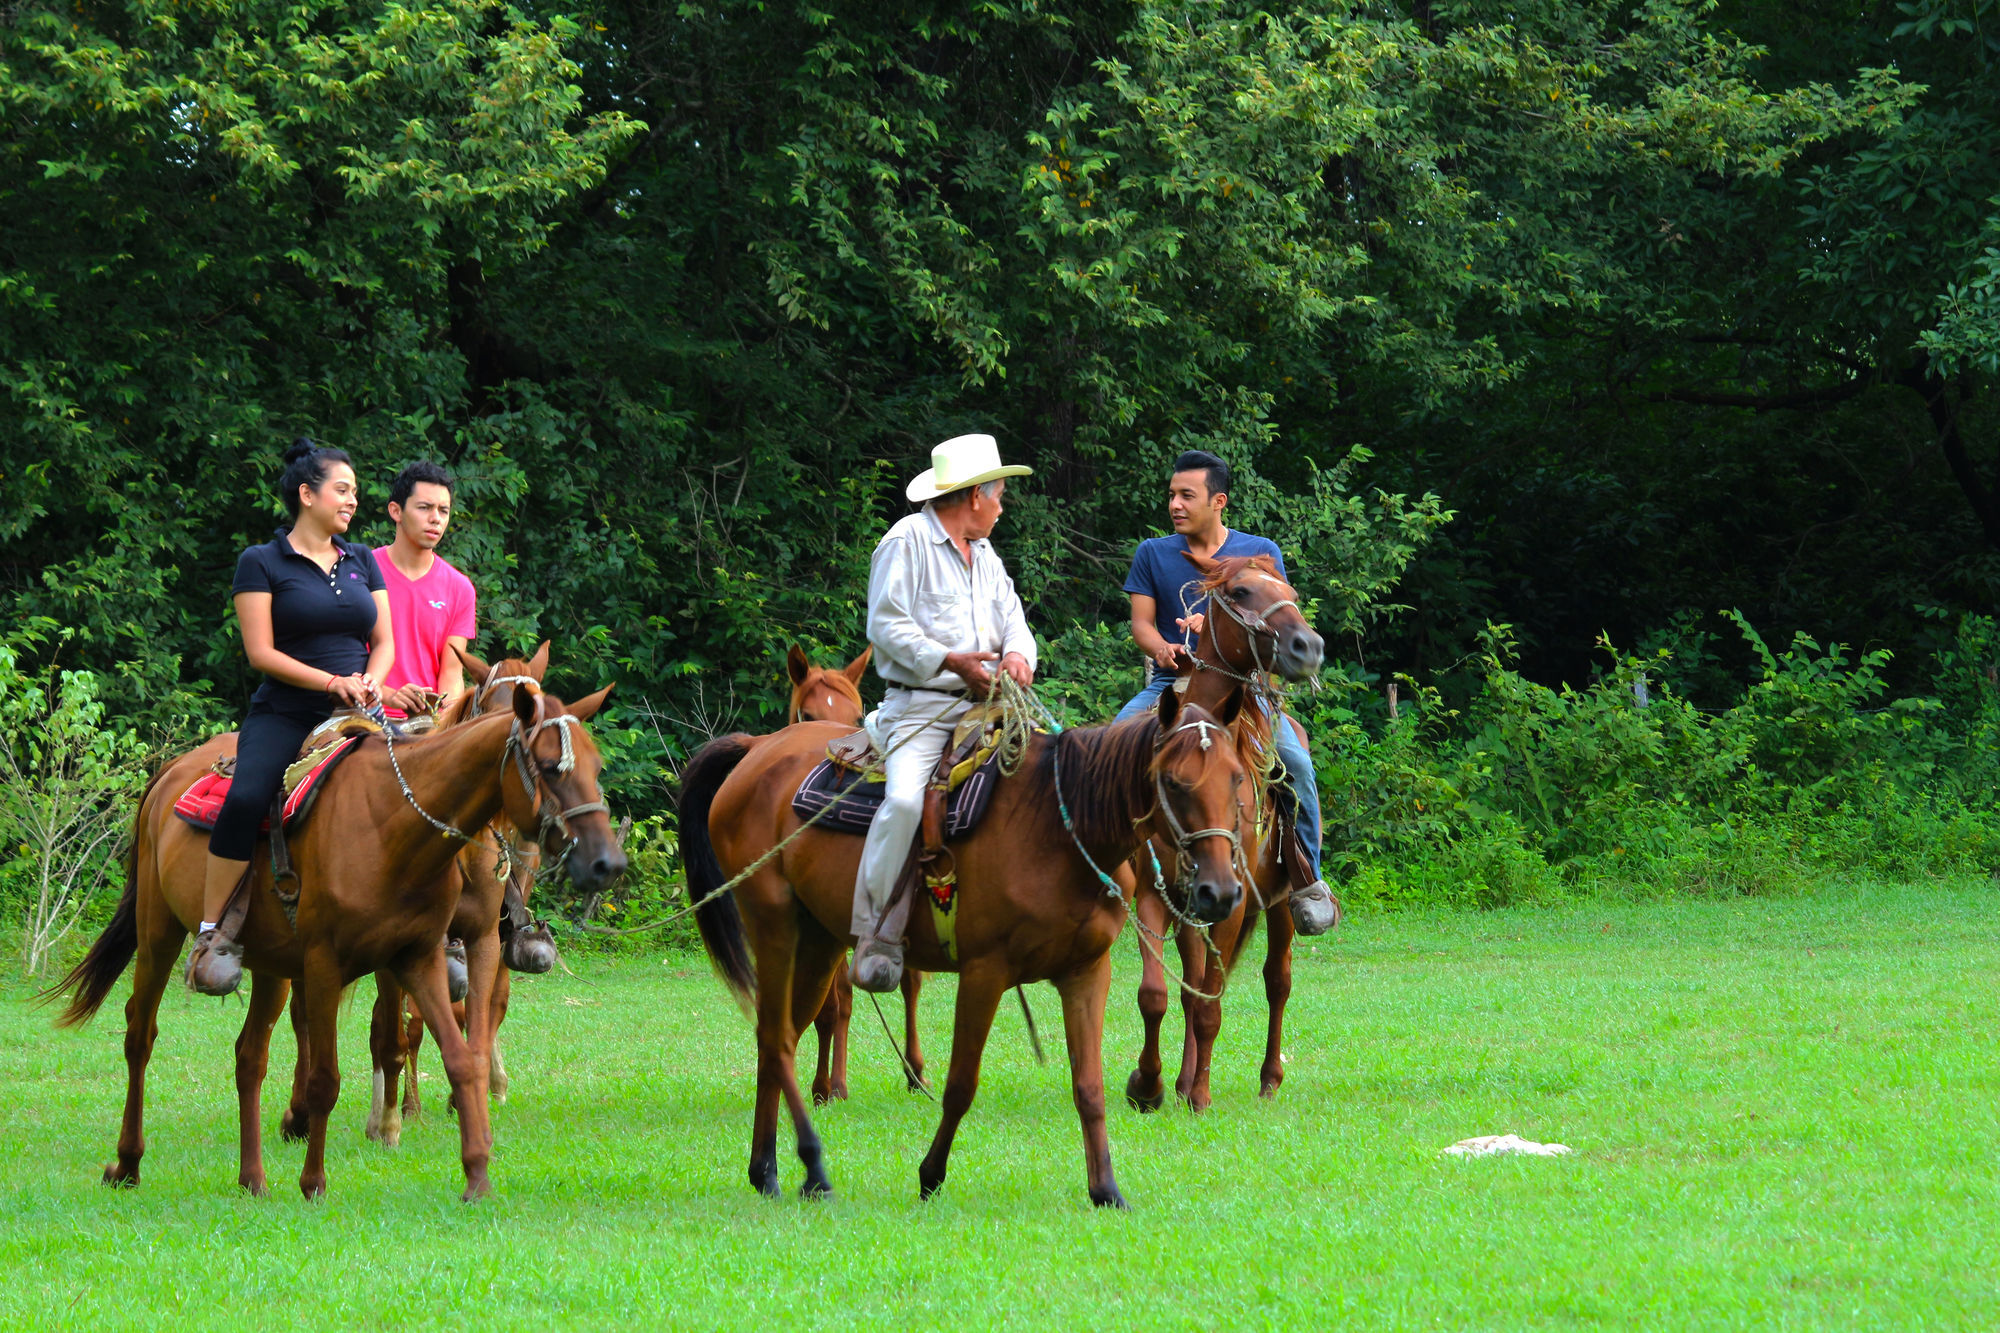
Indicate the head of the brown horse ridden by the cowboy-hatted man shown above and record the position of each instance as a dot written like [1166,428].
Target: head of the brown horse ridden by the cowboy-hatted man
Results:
[1199,780]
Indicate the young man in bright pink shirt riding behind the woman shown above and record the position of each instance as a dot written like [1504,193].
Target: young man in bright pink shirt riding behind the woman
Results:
[431,603]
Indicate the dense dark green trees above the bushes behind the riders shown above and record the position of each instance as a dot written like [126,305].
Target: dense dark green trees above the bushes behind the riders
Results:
[1679,307]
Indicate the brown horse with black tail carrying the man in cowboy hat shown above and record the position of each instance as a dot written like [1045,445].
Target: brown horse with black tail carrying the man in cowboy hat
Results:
[1031,902]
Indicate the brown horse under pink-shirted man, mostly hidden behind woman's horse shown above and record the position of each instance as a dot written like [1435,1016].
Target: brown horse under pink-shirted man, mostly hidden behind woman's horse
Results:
[489,868]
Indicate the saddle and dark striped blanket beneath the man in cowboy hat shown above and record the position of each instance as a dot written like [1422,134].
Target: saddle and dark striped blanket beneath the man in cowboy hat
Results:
[959,794]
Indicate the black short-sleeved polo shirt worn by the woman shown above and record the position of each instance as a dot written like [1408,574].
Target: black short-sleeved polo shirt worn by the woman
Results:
[319,617]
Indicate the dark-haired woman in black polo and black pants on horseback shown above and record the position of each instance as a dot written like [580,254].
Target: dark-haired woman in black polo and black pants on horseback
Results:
[315,621]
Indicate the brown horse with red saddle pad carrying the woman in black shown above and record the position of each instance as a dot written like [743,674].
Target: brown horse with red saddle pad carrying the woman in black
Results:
[377,890]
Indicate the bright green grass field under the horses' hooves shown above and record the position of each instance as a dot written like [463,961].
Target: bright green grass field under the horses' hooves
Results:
[1783,1116]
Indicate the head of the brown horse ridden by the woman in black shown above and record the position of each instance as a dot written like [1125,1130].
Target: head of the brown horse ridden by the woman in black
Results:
[551,782]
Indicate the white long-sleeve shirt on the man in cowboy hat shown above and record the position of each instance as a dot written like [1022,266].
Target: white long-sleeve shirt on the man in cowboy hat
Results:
[925,603]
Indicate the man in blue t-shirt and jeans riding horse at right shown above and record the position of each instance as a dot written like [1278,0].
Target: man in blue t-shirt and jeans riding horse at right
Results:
[1167,619]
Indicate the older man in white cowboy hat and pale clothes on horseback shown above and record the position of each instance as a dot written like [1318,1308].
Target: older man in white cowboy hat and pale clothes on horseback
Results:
[941,607]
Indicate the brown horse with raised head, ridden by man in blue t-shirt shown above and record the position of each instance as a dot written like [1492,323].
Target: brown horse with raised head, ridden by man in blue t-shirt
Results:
[1257,627]
